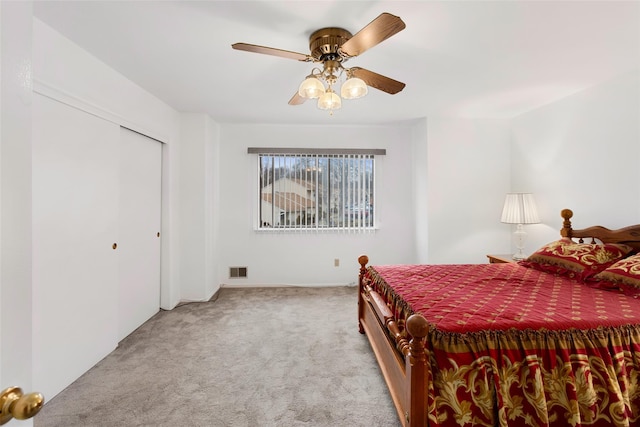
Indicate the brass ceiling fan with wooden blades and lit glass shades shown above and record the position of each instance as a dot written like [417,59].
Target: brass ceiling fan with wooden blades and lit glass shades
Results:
[332,47]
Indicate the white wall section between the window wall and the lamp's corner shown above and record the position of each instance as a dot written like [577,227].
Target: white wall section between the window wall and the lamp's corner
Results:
[467,178]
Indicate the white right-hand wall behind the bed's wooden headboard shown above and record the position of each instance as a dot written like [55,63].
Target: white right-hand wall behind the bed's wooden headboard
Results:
[581,153]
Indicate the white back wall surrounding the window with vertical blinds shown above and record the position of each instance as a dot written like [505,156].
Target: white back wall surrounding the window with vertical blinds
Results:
[308,259]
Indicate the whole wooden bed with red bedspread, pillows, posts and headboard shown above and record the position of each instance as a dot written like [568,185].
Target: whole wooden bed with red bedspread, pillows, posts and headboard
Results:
[553,340]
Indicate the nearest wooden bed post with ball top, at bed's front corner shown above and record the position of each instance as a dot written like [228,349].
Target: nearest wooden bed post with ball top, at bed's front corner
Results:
[417,371]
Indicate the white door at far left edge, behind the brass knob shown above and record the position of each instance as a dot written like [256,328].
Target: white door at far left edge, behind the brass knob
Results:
[15,195]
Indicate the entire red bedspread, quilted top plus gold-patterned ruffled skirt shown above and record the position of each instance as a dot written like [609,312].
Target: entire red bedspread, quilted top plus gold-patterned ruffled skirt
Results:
[513,346]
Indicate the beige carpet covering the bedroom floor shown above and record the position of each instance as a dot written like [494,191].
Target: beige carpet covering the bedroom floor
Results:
[253,357]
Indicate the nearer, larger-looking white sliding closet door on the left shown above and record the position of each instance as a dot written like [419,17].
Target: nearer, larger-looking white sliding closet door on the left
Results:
[75,268]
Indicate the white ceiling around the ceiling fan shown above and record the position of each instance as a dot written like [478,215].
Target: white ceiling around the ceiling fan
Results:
[493,59]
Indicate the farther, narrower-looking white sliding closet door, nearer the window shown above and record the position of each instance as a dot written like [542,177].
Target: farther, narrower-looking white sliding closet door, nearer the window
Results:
[139,228]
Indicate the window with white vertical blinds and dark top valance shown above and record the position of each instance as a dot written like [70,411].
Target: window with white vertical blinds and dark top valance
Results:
[316,189]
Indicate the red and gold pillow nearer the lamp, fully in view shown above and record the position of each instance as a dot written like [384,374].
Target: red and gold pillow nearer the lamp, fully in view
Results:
[576,260]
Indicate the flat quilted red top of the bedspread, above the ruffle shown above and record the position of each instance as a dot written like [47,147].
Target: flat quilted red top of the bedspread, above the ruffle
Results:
[473,297]
